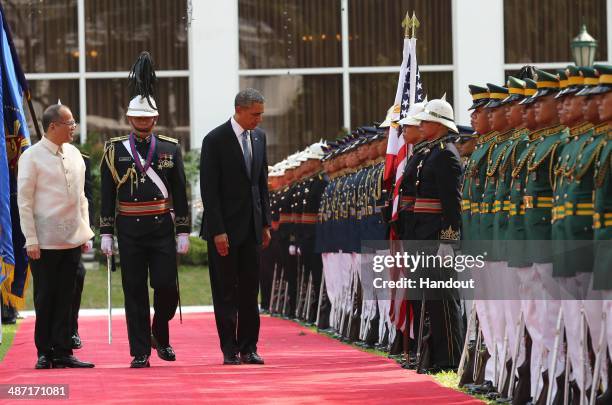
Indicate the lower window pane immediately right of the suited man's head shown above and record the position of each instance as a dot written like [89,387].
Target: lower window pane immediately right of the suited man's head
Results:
[300,110]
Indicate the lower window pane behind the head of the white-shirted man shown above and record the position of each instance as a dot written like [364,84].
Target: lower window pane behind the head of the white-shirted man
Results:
[47,92]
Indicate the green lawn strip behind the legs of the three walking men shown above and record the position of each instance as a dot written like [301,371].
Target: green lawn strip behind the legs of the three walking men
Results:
[194,282]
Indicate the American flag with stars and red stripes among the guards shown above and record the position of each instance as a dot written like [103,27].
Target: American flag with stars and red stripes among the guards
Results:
[397,156]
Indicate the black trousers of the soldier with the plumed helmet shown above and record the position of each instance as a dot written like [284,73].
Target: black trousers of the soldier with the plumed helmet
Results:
[154,255]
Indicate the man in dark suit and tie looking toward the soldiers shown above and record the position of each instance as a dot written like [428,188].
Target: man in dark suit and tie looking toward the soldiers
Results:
[236,223]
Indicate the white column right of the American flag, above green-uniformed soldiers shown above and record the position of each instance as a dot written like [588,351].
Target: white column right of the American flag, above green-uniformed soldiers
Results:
[478,49]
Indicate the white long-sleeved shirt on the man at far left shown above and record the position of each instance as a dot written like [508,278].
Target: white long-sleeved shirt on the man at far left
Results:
[53,208]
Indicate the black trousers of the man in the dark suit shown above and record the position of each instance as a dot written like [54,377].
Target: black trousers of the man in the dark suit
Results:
[234,281]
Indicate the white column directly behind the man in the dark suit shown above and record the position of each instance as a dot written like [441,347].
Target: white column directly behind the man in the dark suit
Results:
[213,65]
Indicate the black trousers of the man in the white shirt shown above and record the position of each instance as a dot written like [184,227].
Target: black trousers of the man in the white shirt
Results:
[54,275]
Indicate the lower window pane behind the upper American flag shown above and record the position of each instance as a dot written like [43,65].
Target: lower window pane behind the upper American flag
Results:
[372,94]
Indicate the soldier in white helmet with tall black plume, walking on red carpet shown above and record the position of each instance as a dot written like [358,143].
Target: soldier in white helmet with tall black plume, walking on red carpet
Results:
[145,201]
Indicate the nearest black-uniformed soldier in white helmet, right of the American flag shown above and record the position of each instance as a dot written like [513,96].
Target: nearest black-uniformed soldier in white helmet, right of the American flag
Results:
[437,216]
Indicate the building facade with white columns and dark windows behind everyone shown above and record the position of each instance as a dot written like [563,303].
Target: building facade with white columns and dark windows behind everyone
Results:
[325,66]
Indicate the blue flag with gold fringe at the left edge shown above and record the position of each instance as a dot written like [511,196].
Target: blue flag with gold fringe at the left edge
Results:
[15,138]
